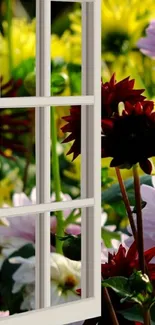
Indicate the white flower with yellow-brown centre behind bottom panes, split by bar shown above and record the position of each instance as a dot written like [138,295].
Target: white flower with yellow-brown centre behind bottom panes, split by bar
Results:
[65,279]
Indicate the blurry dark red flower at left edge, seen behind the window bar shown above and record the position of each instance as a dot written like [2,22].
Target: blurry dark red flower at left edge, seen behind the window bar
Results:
[13,123]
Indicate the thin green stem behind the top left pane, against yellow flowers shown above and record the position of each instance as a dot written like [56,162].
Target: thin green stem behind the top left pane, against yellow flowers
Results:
[9,34]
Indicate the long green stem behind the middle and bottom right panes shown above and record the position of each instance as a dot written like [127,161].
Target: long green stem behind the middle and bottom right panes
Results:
[57,184]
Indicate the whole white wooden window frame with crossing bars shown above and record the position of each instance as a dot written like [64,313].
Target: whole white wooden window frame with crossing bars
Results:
[90,100]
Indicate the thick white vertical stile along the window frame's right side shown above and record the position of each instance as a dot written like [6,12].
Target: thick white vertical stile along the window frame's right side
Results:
[91,151]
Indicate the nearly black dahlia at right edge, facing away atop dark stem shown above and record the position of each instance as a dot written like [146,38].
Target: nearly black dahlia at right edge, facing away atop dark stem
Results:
[128,138]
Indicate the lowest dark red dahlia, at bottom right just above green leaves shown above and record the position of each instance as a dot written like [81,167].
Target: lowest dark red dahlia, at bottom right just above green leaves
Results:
[123,263]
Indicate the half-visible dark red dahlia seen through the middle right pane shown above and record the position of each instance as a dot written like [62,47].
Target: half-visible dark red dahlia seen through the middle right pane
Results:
[73,127]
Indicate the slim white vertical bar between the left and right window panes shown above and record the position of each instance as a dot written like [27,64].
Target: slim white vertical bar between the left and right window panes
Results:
[43,177]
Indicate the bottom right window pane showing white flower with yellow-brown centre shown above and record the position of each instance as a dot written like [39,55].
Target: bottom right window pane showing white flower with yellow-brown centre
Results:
[66,256]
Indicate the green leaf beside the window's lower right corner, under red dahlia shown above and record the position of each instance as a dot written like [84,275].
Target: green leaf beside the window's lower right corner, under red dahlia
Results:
[119,284]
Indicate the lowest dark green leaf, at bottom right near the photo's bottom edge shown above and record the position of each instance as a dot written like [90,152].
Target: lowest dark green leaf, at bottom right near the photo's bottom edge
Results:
[133,314]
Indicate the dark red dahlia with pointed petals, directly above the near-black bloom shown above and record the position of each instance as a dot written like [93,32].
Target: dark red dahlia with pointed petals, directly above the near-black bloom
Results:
[114,93]
